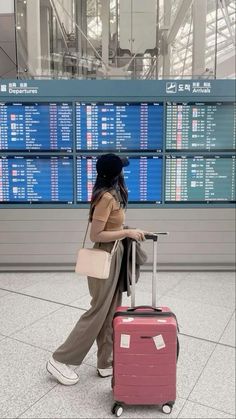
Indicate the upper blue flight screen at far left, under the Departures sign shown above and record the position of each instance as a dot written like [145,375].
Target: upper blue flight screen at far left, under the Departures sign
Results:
[36,126]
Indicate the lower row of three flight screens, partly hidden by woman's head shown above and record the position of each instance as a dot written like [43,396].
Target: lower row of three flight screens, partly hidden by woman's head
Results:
[150,179]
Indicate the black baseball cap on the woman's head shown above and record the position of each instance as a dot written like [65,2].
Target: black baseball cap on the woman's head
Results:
[110,165]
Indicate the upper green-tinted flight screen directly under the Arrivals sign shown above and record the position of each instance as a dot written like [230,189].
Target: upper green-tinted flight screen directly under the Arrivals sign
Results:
[201,126]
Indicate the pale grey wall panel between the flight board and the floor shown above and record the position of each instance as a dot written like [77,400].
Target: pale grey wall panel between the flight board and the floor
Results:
[49,239]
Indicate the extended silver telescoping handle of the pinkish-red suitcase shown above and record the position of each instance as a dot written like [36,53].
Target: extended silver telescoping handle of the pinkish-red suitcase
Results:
[154,237]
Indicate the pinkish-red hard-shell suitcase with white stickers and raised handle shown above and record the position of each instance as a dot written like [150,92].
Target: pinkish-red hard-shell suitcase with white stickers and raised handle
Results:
[145,350]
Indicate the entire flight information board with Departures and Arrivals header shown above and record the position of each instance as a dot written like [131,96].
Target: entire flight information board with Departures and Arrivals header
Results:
[179,136]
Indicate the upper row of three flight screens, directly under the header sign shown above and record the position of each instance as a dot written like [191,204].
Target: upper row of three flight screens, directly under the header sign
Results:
[147,126]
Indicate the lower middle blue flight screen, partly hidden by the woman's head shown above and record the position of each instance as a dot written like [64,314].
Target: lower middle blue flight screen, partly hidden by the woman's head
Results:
[143,178]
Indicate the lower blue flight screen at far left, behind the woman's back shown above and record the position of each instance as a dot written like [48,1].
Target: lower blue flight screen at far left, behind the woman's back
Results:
[36,179]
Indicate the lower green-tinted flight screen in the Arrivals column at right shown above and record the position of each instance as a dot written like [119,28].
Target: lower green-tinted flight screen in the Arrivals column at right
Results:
[198,179]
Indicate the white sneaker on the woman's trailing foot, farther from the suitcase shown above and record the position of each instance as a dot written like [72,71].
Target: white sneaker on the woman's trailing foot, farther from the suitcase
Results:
[64,374]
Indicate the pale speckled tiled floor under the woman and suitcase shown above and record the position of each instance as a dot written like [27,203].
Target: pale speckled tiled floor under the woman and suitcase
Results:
[38,310]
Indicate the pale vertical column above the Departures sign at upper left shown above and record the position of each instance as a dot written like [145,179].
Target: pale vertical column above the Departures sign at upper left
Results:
[33,37]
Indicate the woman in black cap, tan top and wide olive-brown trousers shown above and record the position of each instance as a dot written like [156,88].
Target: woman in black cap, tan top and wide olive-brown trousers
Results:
[108,204]
